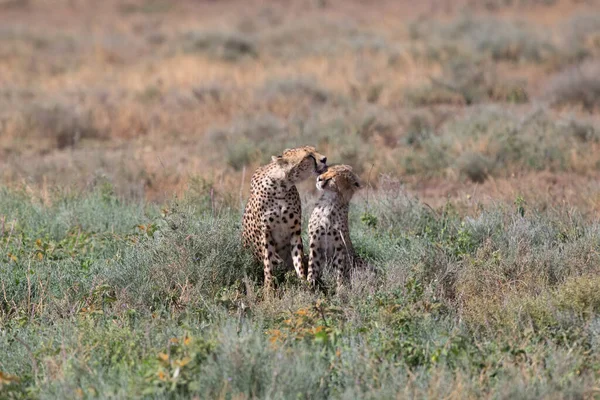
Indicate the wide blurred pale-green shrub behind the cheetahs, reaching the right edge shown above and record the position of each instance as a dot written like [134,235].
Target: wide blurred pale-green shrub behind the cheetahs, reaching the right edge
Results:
[502,141]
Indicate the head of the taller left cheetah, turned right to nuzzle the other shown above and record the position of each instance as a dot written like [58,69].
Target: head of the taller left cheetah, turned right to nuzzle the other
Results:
[300,163]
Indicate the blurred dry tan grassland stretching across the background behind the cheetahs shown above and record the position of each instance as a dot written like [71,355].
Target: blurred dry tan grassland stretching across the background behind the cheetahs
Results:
[136,90]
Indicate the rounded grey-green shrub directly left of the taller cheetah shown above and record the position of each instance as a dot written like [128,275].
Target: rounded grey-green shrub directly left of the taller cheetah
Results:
[210,259]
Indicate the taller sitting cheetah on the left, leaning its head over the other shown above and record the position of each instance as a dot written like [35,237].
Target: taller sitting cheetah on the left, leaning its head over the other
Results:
[271,225]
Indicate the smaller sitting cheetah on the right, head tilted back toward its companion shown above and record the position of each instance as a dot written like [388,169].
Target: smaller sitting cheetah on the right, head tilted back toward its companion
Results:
[328,225]
